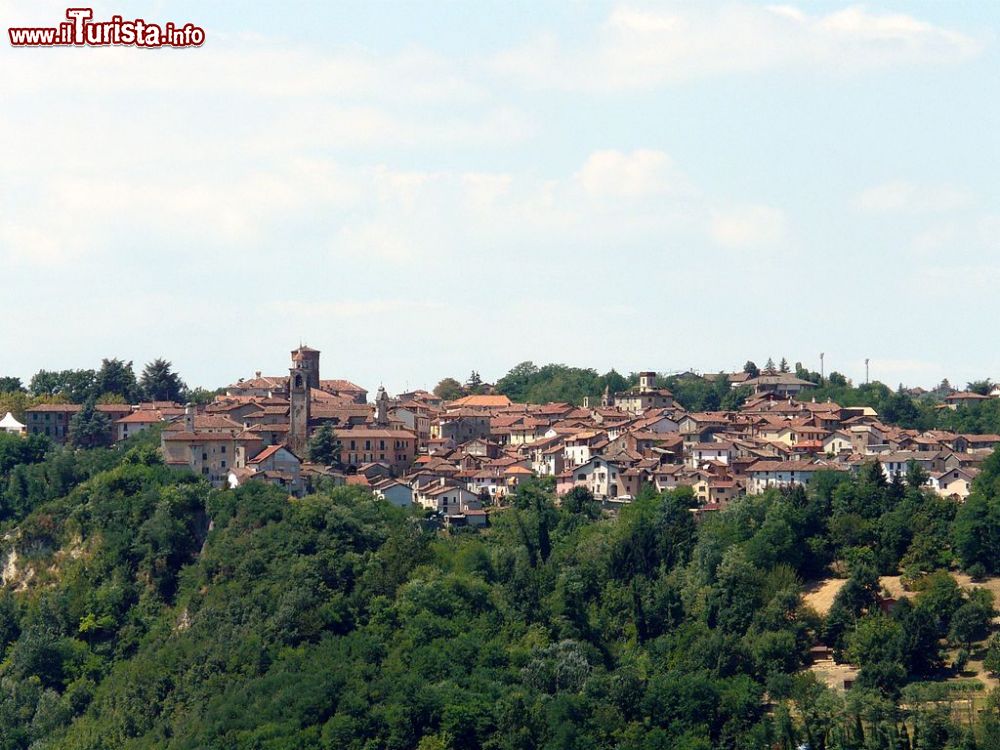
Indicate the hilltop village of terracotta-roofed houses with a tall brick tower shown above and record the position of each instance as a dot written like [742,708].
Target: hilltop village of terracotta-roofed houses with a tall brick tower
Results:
[460,457]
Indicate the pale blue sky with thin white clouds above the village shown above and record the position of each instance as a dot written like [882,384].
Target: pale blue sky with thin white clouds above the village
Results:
[423,189]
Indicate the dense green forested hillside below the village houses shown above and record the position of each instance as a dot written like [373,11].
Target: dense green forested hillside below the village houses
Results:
[141,609]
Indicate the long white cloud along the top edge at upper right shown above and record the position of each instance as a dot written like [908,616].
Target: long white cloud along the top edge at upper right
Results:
[637,49]
